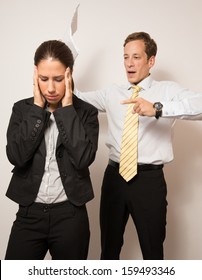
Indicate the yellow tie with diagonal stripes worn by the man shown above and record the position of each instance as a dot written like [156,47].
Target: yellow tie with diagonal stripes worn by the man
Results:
[128,156]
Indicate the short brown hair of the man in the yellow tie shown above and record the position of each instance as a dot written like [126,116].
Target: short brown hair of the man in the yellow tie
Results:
[150,44]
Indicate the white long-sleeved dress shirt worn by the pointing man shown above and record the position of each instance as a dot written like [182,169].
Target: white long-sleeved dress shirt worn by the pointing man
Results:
[154,135]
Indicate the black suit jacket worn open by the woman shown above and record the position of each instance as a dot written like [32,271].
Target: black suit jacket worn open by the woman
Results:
[76,149]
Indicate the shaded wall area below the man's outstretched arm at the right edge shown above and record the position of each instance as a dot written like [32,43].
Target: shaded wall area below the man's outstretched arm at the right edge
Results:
[184,193]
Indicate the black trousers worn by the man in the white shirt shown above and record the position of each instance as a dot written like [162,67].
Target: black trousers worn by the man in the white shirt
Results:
[144,198]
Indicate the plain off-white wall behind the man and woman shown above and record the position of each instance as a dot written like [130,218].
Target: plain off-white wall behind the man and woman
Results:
[102,28]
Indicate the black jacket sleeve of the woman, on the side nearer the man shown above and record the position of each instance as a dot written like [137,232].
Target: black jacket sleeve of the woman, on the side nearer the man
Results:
[78,131]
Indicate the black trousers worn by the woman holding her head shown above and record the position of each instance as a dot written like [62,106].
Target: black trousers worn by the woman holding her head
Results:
[61,228]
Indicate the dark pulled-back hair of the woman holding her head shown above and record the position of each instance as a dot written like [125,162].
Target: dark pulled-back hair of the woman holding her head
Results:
[55,49]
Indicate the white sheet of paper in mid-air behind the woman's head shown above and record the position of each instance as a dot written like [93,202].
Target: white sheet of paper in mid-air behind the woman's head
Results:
[72,30]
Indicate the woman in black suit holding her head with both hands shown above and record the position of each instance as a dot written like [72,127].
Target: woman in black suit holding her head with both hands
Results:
[52,139]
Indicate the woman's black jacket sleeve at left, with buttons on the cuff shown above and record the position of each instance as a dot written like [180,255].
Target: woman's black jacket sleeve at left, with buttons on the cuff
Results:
[25,132]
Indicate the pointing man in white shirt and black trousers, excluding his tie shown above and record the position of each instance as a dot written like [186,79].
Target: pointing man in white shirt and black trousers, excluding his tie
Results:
[144,196]
